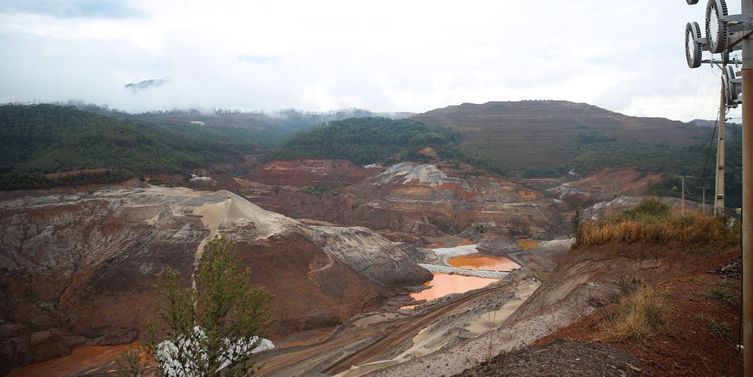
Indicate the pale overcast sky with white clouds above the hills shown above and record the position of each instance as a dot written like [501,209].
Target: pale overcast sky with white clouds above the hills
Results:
[408,55]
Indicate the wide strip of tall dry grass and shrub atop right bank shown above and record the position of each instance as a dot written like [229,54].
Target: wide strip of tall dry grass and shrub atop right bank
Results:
[651,221]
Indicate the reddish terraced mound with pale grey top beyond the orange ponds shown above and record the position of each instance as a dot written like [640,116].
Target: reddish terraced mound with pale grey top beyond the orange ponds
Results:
[424,200]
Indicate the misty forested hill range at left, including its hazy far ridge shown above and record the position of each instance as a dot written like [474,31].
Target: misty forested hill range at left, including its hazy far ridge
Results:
[110,145]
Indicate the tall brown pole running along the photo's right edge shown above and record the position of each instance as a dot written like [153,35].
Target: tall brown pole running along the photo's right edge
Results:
[747,230]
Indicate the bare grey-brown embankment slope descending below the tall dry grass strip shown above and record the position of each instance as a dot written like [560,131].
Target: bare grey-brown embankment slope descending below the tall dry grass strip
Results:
[589,279]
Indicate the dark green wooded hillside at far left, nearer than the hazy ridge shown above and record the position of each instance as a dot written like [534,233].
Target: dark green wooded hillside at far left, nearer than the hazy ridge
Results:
[41,139]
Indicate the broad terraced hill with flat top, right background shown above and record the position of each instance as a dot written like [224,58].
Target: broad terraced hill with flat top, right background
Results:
[550,137]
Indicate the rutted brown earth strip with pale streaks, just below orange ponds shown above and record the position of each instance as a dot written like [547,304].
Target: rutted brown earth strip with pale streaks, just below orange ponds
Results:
[377,340]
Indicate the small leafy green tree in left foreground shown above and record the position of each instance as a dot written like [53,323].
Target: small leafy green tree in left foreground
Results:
[211,329]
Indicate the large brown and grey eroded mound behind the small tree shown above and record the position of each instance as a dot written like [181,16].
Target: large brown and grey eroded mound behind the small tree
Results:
[79,268]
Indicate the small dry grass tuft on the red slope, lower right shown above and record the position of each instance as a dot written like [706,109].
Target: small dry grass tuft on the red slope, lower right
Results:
[639,316]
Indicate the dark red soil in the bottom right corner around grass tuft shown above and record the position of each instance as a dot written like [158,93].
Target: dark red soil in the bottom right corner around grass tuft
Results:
[689,347]
